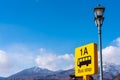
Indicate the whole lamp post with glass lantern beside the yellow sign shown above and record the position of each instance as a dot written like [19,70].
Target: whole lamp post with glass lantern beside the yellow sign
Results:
[99,10]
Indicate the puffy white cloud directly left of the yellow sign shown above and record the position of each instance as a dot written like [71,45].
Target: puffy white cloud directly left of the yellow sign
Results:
[55,62]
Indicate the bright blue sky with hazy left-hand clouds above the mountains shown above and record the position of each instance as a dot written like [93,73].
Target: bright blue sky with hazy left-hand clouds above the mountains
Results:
[32,30]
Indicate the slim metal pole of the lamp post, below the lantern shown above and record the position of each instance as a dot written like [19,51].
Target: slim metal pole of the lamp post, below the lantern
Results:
[100,52]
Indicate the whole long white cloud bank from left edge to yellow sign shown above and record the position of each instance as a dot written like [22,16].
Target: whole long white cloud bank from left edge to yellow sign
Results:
[18,57]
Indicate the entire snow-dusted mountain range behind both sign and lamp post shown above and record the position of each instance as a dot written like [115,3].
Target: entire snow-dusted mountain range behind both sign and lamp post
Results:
[35,73]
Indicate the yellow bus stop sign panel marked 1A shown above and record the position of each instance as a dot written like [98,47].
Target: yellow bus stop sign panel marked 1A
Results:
[86,60]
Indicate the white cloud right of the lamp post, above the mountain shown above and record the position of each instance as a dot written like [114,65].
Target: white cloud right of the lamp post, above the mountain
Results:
[111,53]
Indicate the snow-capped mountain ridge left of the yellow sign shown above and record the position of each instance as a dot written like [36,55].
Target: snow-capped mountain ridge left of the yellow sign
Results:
[37,73]
